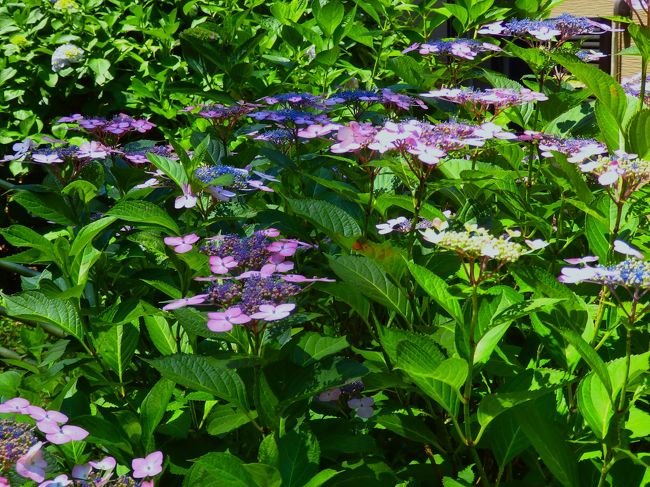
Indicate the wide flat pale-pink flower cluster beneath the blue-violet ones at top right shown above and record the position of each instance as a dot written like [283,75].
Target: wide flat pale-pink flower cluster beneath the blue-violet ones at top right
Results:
[479,102]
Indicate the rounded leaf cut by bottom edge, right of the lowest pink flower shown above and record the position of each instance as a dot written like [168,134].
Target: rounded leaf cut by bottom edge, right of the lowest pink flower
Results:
[219,469]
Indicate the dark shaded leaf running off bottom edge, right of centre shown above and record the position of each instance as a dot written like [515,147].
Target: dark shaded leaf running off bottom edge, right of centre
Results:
[550,443]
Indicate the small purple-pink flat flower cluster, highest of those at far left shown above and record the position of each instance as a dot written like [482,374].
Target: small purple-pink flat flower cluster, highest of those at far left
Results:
[108,131]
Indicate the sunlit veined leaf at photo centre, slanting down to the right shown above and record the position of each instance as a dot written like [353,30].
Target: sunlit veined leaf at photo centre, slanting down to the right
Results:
[371,280]
